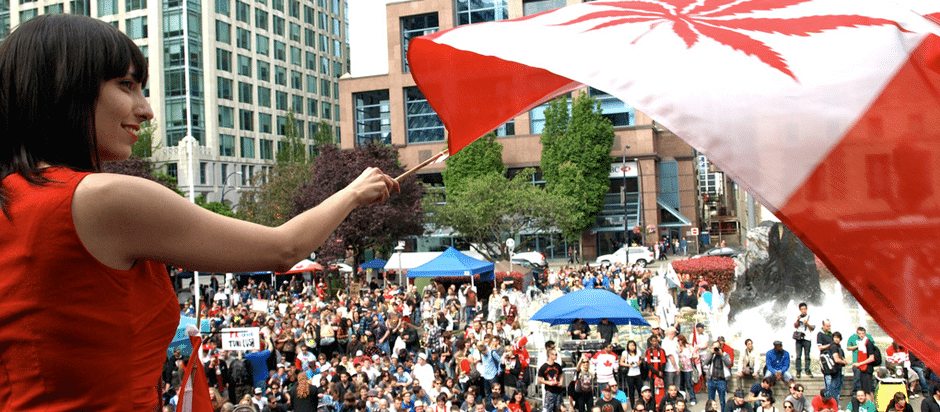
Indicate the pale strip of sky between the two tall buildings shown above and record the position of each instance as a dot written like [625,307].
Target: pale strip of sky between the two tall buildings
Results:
[368,37]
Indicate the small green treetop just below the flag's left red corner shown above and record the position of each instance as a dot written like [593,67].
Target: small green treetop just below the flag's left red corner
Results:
[481,158]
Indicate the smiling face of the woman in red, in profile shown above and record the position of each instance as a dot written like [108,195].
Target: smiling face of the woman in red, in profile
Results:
[120,110]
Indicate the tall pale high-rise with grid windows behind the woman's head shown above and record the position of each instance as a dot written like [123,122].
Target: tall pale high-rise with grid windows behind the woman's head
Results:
[227,74]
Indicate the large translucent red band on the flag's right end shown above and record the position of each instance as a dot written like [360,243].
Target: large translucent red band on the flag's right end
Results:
[871,210]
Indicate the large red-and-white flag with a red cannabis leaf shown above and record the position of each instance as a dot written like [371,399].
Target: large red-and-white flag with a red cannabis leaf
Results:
[828,111]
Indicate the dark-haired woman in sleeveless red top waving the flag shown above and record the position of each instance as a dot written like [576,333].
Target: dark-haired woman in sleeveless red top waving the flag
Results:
[88,310]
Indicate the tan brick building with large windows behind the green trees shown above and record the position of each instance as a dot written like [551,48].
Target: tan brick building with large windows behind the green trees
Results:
[652,179]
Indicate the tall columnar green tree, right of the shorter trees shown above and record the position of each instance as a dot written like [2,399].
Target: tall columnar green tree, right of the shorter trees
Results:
[576,160]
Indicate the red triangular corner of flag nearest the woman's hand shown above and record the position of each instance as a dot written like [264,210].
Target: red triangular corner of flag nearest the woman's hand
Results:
[482,77]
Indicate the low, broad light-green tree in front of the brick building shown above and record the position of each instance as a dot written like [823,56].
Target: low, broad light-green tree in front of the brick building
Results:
[490,208]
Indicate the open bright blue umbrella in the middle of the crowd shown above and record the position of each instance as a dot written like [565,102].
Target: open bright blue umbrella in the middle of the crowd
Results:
[592,305]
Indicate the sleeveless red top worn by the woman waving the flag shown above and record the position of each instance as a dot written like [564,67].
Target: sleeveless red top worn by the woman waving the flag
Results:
[75,334]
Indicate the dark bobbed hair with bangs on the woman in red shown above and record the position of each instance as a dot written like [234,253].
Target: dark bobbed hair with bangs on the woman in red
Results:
[51,71]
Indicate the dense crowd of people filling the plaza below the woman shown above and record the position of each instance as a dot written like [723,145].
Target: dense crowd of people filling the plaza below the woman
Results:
[387,349]
